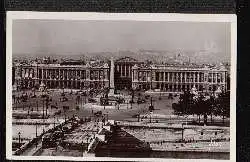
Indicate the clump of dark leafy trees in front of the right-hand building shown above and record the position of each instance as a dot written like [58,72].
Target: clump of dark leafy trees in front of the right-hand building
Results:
[202,105]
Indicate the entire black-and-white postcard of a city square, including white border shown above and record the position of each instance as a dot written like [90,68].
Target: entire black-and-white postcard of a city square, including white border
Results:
[123,86]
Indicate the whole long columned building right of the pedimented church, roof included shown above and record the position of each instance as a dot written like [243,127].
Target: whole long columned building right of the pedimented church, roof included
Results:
[177,78]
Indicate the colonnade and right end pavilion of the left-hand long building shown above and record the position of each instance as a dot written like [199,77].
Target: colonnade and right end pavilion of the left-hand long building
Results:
[74,78]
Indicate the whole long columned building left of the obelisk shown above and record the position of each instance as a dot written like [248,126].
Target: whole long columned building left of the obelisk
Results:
[68,75]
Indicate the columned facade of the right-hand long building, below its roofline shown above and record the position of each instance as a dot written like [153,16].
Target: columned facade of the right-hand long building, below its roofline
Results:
[178,80]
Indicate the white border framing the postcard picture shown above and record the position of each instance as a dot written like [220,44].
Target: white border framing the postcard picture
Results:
[14,15]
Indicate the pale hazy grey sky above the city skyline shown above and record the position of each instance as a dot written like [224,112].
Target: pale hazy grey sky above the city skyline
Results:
[66,37]
